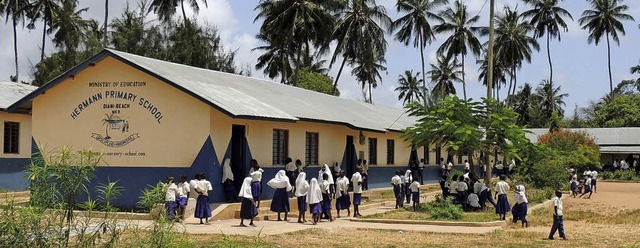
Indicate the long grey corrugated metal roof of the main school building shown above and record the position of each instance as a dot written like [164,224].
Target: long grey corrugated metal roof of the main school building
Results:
[250,97]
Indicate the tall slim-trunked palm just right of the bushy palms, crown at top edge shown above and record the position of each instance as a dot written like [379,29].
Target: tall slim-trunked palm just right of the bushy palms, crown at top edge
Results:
[414,25]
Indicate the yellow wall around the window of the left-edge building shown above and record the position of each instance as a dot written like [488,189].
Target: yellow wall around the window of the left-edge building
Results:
[25,134]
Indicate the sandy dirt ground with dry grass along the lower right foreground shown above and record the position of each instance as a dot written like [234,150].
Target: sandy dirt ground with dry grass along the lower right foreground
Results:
[611,218]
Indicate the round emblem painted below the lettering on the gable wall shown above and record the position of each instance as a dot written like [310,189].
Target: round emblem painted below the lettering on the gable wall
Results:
[116,132]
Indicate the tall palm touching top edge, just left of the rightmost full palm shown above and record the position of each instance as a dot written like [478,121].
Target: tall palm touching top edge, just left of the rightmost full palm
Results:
[546,17]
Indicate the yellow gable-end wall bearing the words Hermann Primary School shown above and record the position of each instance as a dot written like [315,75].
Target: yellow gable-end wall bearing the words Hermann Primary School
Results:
[170,139]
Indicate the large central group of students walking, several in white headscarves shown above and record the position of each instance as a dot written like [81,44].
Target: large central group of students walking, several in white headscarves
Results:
[315,195]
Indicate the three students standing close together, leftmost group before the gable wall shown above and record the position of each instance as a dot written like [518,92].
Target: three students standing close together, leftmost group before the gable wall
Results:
[177,197]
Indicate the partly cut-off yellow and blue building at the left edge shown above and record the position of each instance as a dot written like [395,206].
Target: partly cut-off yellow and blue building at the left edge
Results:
[15,137]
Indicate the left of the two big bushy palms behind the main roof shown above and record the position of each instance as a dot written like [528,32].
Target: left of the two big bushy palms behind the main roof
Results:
[296,23]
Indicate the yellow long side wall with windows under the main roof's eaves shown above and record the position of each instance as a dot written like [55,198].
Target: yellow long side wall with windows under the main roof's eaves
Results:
[331,139]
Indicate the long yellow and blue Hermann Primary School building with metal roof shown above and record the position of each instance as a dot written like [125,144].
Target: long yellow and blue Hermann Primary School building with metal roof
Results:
[154,119]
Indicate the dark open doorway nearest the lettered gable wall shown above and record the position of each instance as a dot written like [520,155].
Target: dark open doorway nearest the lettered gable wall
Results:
[238,155]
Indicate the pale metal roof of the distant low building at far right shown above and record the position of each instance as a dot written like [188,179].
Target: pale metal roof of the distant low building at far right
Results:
[603,136]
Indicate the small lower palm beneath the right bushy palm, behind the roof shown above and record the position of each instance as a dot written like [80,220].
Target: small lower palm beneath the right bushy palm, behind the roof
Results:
[369,65]
